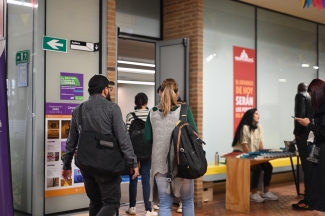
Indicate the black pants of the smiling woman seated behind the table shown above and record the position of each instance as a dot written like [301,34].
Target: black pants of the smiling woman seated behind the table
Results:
[256,171]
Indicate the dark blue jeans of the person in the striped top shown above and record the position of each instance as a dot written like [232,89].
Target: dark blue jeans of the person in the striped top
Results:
[145,166]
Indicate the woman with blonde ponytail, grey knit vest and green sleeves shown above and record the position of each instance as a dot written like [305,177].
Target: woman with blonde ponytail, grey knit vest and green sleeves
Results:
[159,126]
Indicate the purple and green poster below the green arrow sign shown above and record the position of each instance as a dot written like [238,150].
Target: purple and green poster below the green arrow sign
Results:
[71,86]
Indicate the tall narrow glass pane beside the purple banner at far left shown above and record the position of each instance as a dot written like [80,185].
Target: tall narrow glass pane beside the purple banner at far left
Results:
[20,37]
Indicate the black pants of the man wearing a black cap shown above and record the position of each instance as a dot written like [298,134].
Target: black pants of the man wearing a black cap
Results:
[104,191]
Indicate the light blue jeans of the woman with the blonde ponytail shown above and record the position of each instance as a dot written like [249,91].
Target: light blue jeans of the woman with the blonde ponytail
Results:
[166,200]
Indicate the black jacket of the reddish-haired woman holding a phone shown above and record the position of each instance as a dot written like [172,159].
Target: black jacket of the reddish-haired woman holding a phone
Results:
[319,125]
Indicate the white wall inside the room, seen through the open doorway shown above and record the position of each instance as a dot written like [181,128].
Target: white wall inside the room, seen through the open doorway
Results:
[126,94]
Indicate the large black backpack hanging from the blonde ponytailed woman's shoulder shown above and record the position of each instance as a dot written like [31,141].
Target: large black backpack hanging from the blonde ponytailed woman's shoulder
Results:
[188,149]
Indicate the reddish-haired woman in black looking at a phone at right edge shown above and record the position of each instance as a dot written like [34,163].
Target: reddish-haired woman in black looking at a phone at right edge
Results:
[316,200]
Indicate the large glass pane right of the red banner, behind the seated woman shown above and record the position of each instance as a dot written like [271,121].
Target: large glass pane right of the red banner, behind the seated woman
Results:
[286,56]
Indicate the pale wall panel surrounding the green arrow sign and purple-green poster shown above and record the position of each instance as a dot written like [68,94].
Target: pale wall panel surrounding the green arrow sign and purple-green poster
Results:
[78,20]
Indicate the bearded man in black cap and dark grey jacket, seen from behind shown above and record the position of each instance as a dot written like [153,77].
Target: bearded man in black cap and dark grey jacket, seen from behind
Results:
[104,117]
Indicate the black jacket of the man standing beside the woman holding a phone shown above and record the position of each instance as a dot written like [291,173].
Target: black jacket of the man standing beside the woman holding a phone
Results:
[303,109]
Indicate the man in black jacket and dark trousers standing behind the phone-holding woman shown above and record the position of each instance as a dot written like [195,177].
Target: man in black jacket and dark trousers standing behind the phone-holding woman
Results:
[303,109]
